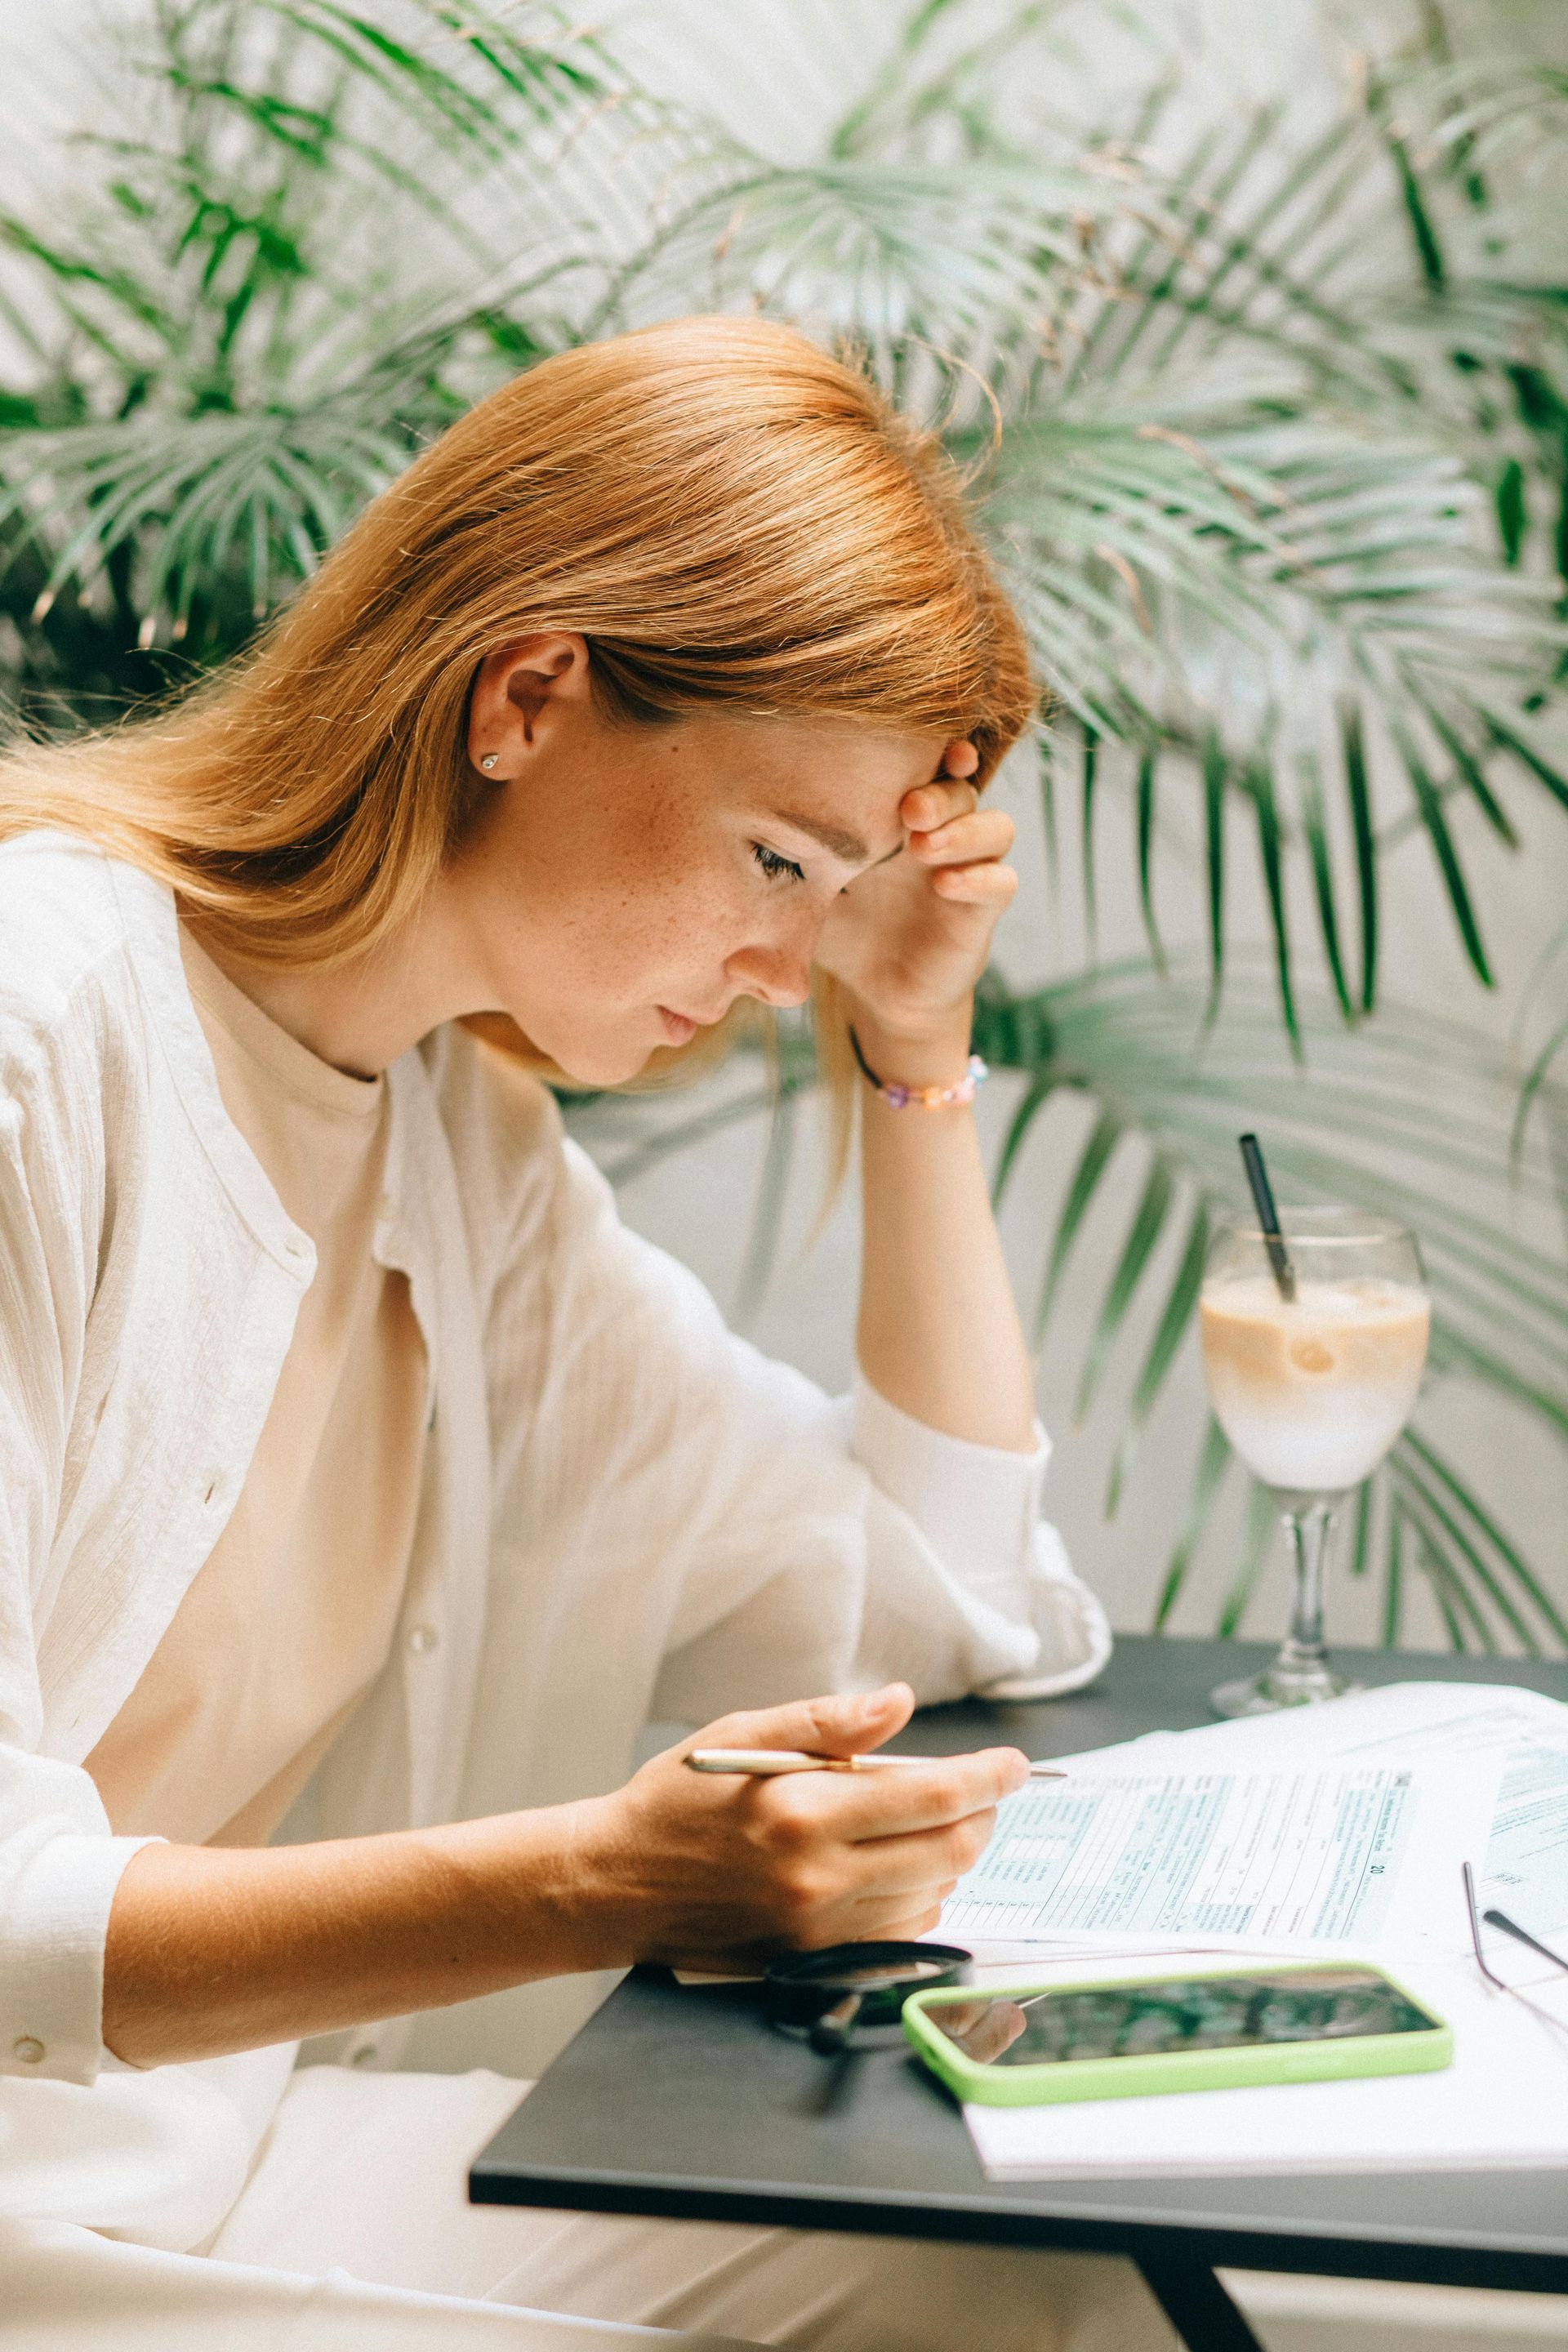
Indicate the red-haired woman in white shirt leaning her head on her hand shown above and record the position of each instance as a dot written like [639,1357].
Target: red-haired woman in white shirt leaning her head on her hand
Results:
[351,1448]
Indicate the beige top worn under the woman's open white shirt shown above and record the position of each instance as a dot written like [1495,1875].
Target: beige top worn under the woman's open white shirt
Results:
[295,1608]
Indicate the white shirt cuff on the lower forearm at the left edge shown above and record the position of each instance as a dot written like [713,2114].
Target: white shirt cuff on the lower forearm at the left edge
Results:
[53,1958]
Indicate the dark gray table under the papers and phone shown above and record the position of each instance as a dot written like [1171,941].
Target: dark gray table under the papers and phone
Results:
[683,2104]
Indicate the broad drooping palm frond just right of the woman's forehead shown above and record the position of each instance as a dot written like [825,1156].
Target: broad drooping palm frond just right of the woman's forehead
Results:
[1273,606]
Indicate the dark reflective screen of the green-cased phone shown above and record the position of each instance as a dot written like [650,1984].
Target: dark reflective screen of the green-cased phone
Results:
[1179,2014]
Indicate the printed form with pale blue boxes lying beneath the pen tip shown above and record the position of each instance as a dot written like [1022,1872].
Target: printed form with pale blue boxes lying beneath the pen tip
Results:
[1193,1857]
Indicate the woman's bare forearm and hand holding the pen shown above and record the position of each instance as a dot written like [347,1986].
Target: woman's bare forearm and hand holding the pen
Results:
[227,1949]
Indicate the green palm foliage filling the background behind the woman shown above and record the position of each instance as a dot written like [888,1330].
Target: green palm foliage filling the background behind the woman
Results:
[1268,420]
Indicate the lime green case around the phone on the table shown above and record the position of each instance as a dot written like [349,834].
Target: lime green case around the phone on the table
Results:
[1170,2071]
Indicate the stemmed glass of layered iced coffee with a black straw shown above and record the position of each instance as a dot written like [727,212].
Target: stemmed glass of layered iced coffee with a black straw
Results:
[1313,1365]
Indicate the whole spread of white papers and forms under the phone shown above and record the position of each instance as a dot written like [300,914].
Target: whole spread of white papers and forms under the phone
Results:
[1322,1831]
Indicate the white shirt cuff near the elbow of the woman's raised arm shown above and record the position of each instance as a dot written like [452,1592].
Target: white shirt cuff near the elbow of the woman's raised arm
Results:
[977,1506]
